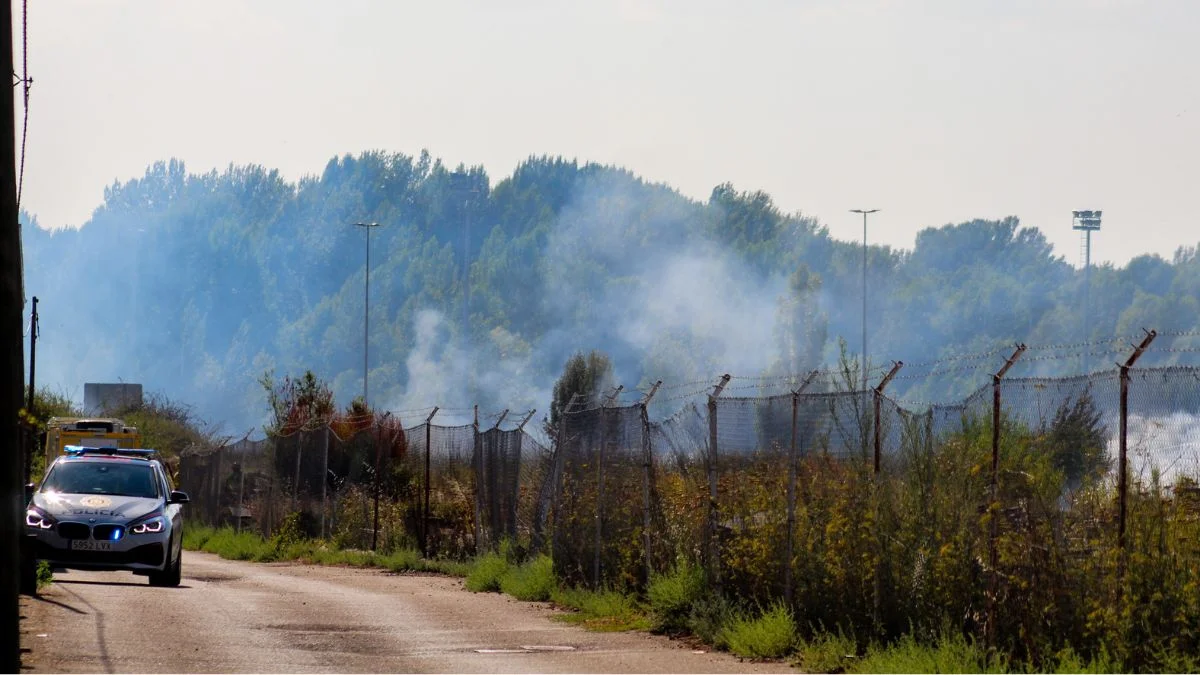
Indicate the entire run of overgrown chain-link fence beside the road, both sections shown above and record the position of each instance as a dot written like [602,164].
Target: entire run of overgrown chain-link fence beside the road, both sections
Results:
[1009,511]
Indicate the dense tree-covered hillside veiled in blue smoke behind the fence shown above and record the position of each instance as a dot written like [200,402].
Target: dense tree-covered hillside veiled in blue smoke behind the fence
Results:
[197,284]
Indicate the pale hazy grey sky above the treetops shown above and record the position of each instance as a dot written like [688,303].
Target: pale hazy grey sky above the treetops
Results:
[935,112]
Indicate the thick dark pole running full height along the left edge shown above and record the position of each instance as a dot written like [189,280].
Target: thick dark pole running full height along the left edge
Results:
[11,368]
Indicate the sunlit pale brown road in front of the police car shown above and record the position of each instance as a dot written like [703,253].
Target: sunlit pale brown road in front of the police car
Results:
[247,618]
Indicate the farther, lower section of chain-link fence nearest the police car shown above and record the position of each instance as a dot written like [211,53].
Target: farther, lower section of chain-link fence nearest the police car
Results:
[447,491]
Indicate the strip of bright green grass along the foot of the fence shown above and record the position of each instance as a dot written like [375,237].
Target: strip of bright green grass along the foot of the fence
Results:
[676,602]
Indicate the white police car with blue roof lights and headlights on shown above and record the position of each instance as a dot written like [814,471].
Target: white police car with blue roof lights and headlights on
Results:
[109,509]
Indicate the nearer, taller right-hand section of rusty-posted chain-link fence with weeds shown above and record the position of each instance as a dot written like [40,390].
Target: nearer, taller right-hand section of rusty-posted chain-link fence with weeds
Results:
[970,510]
